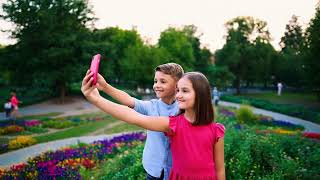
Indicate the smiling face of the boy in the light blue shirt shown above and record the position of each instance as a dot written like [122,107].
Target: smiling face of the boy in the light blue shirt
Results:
[164,85]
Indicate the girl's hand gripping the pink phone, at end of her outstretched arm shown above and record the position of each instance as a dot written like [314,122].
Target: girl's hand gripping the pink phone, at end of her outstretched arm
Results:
[89,91]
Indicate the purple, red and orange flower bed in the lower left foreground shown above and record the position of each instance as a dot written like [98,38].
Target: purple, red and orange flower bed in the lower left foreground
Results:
[66,163]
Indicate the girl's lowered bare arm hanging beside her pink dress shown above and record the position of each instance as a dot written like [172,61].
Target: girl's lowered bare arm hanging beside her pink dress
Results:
[219,159]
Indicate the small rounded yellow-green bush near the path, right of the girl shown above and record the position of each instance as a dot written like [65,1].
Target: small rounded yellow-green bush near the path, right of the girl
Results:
[245,114]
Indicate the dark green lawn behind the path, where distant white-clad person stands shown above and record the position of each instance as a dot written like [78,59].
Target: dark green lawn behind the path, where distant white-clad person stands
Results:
[305,99]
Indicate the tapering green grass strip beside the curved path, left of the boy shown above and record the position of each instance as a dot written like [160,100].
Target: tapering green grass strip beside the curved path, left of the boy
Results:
[73,132]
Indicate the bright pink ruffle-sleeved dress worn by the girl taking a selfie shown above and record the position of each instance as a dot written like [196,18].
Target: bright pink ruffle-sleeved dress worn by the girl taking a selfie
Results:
[192,148]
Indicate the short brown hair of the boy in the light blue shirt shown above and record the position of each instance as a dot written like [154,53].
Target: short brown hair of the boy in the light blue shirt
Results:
[172,69]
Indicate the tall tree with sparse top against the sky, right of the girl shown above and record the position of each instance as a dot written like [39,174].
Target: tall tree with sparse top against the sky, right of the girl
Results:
[238,54]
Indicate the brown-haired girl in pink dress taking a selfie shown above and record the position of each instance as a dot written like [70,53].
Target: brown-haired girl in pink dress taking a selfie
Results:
[197,143]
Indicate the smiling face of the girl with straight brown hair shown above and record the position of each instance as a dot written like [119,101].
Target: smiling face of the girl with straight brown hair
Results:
[186,94]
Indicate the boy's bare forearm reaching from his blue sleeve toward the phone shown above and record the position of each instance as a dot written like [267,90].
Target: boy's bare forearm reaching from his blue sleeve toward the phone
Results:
[121,96]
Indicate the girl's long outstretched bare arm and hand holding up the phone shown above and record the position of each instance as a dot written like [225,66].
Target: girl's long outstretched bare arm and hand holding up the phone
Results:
[121,112]
